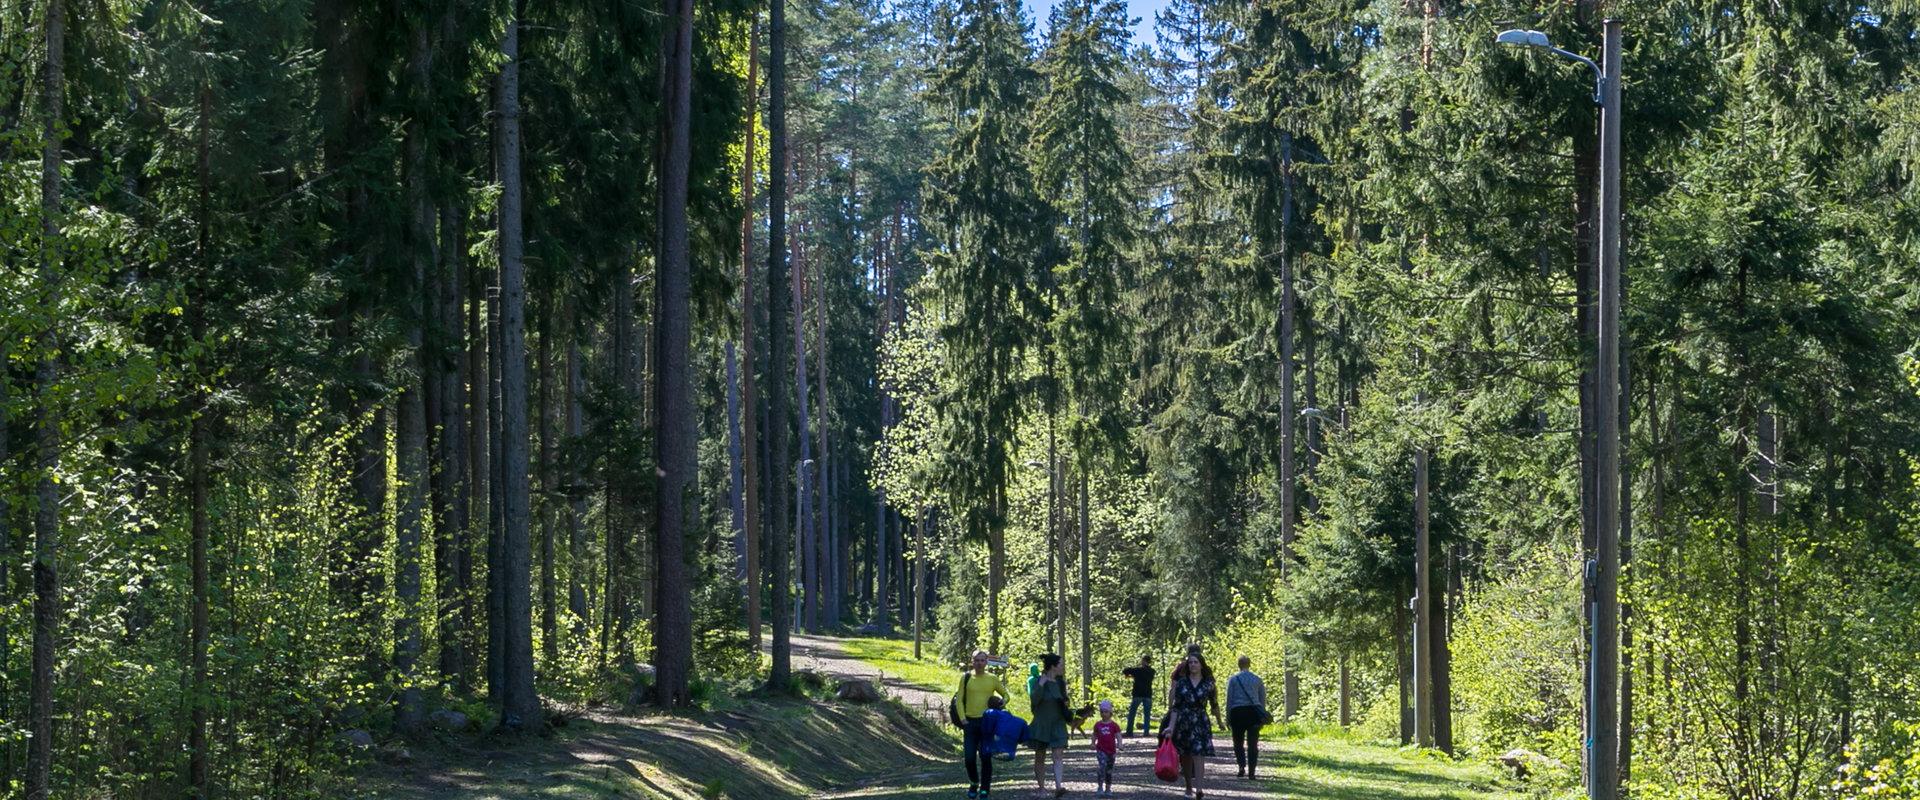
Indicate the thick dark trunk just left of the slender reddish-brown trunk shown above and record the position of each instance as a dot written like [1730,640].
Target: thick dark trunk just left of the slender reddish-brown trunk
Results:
[675,436]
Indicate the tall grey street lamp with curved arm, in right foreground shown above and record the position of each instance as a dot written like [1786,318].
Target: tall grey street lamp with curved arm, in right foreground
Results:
[1604,732]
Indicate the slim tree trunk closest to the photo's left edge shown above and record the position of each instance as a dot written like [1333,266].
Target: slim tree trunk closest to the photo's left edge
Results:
[45,381]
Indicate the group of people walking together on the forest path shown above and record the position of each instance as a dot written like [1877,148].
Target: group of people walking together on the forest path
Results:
[1191,713]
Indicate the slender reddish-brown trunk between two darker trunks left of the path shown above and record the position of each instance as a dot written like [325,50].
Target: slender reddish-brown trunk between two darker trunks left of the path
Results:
[750,314]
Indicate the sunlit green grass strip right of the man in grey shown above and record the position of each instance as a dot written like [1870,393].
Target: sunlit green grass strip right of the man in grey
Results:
[1328,765]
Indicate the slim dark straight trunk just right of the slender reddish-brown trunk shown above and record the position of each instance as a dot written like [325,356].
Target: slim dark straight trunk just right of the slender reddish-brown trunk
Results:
[777,285]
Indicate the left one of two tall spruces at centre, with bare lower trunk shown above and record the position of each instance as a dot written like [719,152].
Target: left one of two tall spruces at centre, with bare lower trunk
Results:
[992,235]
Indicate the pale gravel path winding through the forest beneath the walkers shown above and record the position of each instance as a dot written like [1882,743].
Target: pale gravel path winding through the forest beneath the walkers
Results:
[1134,772]
